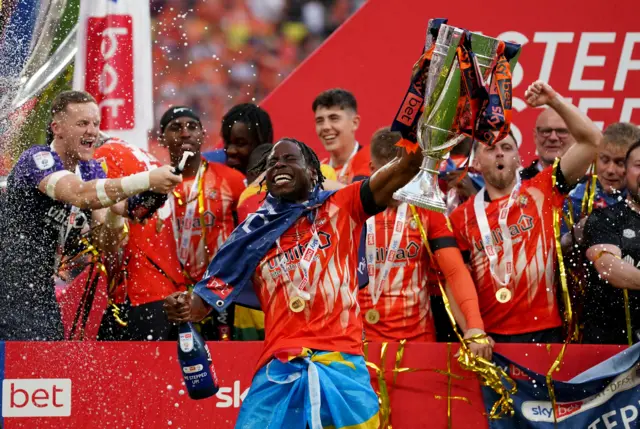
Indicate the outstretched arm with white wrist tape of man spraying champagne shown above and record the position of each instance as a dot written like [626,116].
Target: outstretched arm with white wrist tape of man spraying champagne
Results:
[95,194]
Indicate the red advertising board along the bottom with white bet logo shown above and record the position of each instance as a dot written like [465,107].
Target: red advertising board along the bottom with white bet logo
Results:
[139,385]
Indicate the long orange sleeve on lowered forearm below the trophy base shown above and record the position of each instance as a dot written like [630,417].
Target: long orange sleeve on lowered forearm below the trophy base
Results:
[459,279]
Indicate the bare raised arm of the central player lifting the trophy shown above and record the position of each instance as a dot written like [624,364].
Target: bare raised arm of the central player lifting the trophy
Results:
[394,175]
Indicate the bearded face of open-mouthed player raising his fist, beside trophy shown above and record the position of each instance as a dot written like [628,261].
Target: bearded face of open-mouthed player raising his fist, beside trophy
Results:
[499,163]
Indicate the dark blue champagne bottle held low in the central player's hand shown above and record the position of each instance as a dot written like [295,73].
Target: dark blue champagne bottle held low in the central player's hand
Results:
[195,362]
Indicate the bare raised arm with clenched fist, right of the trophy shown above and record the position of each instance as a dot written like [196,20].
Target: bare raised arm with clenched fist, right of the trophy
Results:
[576,160]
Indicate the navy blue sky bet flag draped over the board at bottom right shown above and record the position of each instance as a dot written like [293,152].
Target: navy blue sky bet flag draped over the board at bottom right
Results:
[602,397]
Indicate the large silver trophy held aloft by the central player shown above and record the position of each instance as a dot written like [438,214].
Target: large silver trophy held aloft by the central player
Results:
[437,127]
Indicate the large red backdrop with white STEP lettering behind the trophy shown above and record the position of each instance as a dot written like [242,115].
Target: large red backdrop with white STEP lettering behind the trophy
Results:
[592,58]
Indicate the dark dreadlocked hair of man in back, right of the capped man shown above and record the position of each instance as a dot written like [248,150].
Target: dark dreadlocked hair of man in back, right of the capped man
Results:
[257,120]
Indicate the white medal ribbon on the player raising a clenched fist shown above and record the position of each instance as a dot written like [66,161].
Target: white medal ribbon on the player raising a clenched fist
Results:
[485,232]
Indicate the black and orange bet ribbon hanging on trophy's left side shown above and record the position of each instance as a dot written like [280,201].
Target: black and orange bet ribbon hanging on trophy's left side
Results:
[408,115]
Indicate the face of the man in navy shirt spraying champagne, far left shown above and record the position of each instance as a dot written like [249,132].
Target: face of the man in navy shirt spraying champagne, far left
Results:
[77,128]
